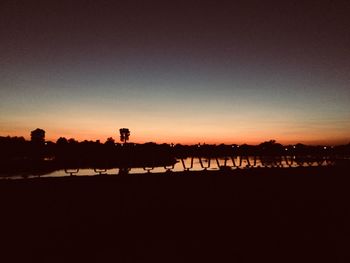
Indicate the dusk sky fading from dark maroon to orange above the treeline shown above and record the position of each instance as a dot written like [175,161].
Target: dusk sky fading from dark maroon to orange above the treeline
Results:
[177,72]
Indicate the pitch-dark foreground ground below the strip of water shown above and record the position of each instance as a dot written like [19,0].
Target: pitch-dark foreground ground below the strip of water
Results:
[261,215]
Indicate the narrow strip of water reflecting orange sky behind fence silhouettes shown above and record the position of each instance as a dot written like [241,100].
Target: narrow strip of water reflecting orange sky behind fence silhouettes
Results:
[192,164]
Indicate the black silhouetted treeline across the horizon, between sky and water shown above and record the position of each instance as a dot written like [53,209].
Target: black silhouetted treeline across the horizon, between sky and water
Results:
[18,155]
